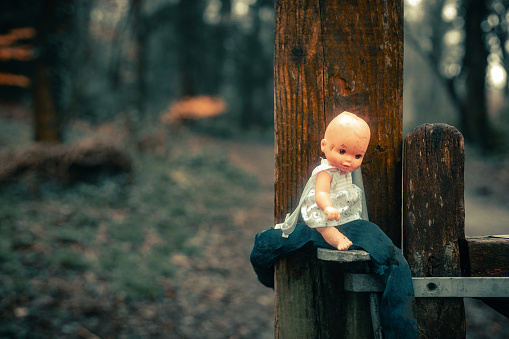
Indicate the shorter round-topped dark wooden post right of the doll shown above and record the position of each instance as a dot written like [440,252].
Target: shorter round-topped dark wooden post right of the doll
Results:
[434,221]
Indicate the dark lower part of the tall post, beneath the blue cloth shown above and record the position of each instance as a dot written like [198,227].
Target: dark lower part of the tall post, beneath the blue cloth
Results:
[316,305]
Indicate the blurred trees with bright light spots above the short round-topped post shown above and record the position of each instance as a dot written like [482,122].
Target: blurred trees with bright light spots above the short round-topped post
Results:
[456,53]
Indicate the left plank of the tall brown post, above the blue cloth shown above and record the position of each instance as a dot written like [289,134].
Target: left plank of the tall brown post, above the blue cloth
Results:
[299,99]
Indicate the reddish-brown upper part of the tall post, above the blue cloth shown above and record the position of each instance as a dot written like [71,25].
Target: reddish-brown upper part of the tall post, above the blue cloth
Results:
[329,57]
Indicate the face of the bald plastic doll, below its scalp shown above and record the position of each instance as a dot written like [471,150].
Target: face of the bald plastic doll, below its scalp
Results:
[345,146]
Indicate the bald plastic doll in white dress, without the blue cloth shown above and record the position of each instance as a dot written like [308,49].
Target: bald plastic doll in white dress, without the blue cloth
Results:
[330,198]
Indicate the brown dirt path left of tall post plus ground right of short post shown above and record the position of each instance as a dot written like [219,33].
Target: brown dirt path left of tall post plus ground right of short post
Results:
[226,301]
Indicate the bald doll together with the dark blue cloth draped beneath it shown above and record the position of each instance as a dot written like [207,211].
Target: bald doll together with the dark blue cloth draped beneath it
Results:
[331,207]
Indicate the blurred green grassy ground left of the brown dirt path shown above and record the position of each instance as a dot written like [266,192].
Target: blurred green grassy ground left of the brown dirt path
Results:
[111,235]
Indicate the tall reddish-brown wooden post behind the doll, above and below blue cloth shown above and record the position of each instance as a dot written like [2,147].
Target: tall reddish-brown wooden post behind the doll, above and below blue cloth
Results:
[332,56]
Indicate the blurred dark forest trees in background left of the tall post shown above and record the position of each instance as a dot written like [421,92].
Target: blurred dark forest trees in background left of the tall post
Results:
[134,58]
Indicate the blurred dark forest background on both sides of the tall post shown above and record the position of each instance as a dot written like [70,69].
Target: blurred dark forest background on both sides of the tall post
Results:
[134,59]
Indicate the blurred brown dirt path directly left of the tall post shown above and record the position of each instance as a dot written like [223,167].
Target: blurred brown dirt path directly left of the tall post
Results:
[222,297]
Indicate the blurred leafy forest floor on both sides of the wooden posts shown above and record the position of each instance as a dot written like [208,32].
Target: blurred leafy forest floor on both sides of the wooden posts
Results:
[212,291]
